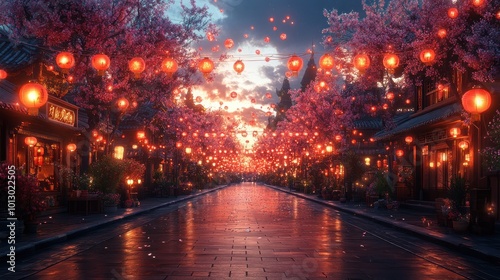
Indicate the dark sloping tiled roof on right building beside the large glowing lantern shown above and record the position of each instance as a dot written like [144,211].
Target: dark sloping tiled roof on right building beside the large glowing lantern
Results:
[421,120]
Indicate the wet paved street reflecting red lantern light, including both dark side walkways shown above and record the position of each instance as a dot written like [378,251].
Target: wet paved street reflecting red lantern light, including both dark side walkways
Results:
[250,231]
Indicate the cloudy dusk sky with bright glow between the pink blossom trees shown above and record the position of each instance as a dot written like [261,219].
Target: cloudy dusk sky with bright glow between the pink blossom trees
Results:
[248,23]
